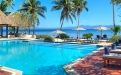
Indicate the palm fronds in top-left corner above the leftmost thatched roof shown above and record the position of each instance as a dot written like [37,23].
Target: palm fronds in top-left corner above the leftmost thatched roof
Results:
[6,4]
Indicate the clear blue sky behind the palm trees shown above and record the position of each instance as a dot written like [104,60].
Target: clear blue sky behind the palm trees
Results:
[100,13]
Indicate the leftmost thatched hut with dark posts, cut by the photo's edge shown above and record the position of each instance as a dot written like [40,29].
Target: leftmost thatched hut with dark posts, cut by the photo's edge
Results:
[4,21]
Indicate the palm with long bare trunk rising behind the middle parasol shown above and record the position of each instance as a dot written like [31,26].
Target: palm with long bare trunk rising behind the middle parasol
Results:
[80,5]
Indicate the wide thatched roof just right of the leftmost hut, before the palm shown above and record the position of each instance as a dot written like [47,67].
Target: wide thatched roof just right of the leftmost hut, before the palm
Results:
[20,20]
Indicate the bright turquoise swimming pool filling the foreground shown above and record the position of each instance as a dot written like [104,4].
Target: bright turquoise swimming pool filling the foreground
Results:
[41,58]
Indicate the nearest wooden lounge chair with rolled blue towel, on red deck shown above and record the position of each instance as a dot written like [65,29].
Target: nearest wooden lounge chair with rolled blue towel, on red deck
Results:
[110,56]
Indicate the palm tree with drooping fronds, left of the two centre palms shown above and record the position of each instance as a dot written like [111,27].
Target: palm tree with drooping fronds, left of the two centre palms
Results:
[67,7]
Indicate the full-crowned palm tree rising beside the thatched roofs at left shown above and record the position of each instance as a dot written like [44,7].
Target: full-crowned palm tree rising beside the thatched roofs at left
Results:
[33,8]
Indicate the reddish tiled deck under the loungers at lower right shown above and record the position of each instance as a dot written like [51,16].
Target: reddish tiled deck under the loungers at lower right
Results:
[93,65]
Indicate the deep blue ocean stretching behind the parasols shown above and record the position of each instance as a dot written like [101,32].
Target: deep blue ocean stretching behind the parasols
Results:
[72,33]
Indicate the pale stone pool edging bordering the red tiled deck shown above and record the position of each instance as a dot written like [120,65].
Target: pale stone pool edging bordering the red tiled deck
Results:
[68,68]
